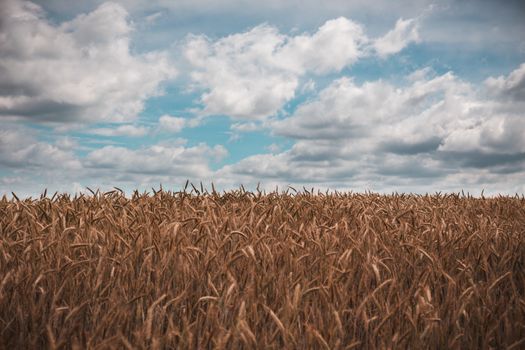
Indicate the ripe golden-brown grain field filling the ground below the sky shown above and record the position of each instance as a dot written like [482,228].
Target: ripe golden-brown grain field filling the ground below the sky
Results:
[242,269]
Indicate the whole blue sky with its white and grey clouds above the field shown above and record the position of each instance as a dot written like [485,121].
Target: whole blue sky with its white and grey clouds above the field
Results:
[405,96]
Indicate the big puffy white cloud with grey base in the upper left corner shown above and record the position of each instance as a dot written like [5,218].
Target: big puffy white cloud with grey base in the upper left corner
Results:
[80,70]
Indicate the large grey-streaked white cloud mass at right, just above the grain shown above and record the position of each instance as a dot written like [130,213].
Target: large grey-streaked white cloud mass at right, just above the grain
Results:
[435,130]
